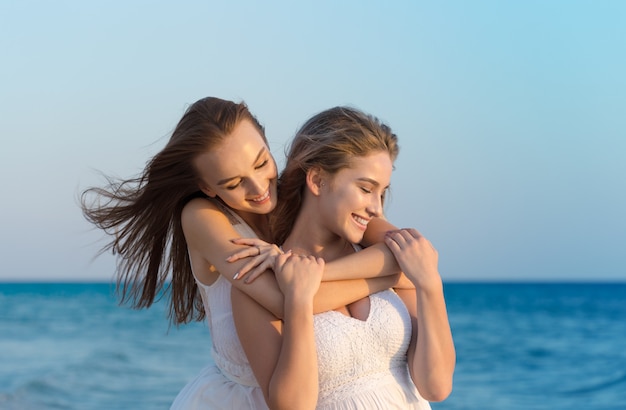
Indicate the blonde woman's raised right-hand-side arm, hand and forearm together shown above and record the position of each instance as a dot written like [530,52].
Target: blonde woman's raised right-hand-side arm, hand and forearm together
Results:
[431,354]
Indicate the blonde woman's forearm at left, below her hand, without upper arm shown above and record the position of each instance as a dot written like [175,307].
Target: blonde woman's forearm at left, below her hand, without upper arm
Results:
[294,384]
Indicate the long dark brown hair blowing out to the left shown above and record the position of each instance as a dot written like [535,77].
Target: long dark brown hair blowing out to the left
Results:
[143,214]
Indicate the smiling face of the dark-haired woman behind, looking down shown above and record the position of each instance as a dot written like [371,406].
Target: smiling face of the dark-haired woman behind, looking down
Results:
[240,171]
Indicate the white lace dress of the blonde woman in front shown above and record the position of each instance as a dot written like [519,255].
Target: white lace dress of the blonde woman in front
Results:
[363,364]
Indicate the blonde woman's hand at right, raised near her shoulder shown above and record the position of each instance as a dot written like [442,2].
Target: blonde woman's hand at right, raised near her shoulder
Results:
[416,256]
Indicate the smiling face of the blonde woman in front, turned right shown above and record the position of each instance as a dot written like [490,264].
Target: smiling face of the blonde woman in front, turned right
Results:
[354,195]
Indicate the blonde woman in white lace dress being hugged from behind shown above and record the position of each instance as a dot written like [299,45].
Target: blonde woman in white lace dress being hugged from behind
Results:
[392,349]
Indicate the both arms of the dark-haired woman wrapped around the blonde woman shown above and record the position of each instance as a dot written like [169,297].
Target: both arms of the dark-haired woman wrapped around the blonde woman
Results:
[211,240]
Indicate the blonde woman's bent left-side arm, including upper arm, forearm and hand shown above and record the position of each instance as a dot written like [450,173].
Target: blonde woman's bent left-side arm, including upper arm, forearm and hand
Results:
[283,355]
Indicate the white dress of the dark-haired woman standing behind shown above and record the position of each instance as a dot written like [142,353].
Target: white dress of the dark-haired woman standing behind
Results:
[228,383]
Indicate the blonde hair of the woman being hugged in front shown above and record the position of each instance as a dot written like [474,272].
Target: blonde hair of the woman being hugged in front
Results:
[329,140]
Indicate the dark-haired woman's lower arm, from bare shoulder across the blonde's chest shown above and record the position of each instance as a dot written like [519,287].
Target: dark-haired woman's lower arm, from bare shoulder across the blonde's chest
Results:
[208,233]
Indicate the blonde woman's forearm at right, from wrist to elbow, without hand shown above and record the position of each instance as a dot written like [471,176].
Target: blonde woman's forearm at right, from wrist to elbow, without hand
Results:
[434,357]
